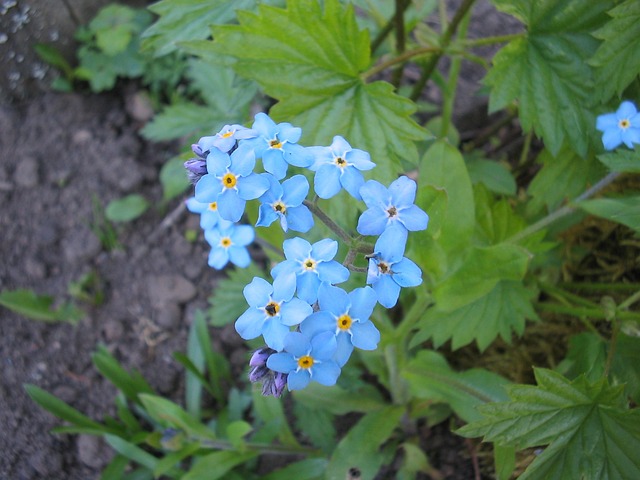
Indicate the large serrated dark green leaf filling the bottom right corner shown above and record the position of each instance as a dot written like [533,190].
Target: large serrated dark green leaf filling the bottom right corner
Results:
[589,430]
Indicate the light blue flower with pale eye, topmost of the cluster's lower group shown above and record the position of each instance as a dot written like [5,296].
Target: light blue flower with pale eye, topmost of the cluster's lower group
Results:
[308,265]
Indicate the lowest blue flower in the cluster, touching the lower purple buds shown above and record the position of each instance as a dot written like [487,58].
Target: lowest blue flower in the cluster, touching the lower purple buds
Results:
[306,359]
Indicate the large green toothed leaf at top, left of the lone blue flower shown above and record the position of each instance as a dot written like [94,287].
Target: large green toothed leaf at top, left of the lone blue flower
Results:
[546,70]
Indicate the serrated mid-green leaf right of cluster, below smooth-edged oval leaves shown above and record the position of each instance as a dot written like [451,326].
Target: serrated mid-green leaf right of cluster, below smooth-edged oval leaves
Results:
[502,311]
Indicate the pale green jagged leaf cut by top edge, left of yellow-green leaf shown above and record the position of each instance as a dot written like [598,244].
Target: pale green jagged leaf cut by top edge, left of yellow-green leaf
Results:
[184,20]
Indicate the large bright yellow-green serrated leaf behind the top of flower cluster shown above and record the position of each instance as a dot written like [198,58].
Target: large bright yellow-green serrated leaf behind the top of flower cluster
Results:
[311,61]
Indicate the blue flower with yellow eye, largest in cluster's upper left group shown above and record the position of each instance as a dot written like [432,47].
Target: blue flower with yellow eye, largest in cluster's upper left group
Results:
[230,182]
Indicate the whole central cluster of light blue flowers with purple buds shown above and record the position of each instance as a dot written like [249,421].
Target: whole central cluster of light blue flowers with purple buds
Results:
[310,325]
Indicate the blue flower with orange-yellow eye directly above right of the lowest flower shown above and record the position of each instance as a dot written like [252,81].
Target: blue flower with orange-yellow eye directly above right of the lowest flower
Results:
[347,316]
